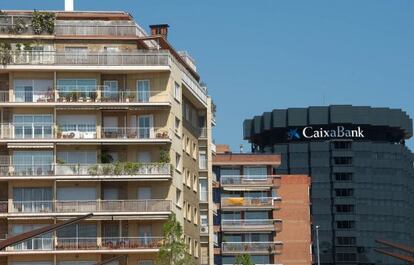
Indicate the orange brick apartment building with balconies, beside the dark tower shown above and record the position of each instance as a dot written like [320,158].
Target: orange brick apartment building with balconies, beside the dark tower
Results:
[253,217]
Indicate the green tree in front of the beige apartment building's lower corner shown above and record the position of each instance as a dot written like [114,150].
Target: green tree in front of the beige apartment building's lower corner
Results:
[173,250]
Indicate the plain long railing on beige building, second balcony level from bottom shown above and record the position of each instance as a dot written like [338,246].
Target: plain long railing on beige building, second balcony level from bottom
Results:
[87,206]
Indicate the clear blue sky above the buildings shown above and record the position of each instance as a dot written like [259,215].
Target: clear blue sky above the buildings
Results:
[259,55]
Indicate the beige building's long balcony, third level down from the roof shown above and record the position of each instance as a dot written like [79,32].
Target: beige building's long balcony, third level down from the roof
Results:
[95,95]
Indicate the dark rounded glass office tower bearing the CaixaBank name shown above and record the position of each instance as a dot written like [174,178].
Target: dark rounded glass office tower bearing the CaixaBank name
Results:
[362,174]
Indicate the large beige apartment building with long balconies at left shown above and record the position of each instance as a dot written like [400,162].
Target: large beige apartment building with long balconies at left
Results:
[97,116]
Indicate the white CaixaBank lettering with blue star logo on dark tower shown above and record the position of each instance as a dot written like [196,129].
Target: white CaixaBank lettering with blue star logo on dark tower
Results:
[331,132]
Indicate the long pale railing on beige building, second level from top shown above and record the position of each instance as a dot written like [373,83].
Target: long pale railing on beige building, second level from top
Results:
[89,58]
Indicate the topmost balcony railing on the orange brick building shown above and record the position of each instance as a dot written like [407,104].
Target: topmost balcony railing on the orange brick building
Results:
[249,180]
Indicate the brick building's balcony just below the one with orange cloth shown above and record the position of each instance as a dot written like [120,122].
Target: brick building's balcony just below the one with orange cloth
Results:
[251,225]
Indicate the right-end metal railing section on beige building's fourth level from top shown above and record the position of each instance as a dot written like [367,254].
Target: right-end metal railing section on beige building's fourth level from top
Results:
[135,133]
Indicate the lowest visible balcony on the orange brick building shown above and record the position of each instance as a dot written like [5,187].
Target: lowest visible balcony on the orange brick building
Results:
[252,247]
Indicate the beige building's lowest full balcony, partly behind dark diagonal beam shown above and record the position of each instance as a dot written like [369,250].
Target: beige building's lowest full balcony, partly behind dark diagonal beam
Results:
[86,245]
